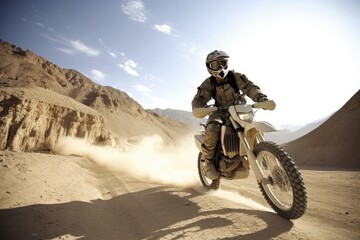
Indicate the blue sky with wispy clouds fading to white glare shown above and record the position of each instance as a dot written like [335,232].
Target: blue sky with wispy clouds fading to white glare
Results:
[304,55]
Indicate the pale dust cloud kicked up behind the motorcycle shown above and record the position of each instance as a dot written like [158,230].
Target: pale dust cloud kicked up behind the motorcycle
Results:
[152,160]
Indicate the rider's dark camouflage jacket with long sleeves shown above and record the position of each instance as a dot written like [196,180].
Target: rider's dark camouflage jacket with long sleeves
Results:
[225,94]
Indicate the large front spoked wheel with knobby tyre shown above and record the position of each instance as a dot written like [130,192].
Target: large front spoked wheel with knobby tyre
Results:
[283,187]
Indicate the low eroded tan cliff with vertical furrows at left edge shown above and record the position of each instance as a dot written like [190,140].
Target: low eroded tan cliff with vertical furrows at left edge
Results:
[34,119]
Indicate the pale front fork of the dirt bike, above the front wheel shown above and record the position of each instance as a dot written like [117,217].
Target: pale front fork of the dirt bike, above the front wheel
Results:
[249,151]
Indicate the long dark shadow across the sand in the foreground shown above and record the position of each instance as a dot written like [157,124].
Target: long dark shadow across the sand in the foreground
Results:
[150,214]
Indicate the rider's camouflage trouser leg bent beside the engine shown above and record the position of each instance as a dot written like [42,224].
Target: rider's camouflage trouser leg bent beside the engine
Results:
[212,134]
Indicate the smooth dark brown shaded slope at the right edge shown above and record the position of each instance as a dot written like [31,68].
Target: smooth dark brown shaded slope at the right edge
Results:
[334,144]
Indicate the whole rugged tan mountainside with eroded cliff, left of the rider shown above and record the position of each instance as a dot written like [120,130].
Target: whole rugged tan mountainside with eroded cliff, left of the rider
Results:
[41,102]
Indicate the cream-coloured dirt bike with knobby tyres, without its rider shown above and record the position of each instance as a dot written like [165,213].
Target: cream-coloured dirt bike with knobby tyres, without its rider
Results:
[242,148]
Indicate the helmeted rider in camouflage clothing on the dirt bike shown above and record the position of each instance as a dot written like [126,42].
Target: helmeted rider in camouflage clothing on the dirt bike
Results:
[220,87]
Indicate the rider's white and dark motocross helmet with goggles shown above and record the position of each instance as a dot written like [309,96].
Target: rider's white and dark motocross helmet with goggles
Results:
[216,63]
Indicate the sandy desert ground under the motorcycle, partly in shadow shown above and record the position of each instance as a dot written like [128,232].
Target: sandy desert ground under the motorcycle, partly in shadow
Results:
[48,196]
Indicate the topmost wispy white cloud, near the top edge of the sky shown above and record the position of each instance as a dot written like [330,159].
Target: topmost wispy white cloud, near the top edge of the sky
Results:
[135,9]
